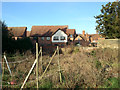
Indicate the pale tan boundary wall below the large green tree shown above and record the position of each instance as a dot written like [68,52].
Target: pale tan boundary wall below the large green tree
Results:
[111,43]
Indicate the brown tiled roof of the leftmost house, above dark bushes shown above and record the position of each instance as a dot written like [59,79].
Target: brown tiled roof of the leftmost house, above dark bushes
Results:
[17,31]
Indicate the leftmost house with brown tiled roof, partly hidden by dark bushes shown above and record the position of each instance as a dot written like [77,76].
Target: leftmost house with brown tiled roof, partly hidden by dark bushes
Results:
[18,32]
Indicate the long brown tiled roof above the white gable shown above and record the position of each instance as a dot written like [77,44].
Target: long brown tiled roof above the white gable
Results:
[46,30]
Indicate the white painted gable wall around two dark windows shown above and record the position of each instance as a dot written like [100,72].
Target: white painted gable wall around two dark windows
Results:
[59,33]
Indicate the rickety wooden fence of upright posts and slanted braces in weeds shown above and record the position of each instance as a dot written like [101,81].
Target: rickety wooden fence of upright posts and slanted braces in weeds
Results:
[38,76]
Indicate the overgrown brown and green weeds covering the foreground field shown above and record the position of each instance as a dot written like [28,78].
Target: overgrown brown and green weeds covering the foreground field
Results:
[80,69]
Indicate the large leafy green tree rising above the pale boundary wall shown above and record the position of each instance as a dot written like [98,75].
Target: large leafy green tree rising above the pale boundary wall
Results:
[109,20]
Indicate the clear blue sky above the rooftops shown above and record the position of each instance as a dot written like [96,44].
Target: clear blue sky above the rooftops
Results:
[77,15]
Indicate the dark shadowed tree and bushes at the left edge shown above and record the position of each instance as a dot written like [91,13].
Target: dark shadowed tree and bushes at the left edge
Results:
[10,45]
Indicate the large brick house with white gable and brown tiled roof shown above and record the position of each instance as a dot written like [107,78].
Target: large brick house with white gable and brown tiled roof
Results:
[52,35]
